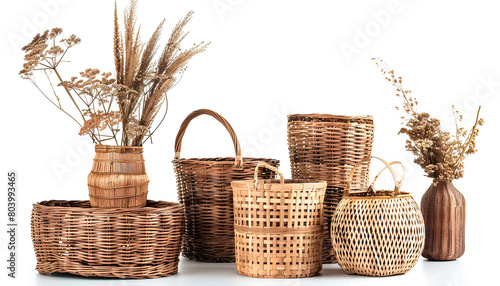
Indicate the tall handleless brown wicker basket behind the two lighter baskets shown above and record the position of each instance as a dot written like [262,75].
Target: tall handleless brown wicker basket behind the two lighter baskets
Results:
[326,147]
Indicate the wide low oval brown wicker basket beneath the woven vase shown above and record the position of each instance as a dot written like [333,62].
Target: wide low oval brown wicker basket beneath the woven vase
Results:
[71,237]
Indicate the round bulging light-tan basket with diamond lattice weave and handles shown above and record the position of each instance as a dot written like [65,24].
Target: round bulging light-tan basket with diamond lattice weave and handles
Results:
[378,233]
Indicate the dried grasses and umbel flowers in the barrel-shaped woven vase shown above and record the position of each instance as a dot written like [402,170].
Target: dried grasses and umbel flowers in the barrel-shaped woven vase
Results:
[127,104]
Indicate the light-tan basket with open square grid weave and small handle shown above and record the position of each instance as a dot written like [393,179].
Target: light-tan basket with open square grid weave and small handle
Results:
[278,227]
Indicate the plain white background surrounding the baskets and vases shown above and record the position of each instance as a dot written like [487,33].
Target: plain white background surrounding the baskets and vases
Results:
[267,59]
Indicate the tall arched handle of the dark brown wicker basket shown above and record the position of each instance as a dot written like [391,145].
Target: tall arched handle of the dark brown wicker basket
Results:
[178,139]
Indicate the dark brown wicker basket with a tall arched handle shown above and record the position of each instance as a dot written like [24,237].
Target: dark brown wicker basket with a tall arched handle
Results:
[204,188]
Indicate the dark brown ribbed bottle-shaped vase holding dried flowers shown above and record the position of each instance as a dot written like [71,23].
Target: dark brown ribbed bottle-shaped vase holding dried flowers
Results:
[443,208]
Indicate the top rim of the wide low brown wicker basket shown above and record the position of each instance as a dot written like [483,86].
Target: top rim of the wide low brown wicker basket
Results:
[43,205]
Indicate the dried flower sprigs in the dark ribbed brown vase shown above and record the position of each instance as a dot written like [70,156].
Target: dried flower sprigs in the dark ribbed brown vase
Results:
[439,153]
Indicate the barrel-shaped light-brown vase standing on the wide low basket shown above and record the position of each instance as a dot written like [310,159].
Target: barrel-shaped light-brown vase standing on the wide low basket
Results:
[118,178]
